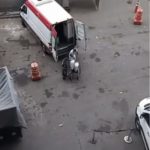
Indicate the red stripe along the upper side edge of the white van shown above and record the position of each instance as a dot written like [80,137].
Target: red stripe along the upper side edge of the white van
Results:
[42,18]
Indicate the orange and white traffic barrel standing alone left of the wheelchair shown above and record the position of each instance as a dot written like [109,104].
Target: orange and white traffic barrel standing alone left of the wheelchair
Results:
[36,75]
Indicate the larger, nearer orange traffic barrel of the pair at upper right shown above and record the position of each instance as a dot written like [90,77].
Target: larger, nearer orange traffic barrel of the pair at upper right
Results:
[138,16]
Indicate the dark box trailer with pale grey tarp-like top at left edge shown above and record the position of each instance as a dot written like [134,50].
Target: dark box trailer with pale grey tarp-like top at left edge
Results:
[11,119]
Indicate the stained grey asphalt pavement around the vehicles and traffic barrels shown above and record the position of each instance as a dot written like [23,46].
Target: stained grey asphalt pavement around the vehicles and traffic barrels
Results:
[62,115]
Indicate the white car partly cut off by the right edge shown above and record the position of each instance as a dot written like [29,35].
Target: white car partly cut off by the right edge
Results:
[142,121]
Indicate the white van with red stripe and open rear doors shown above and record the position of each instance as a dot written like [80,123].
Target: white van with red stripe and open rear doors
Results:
[53,25]
